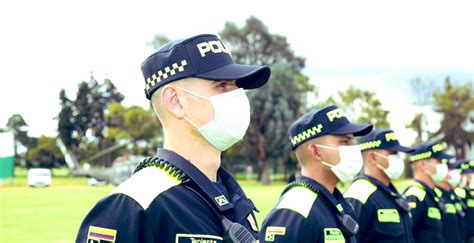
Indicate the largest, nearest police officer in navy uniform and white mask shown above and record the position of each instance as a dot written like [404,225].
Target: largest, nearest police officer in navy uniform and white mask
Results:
[183,194]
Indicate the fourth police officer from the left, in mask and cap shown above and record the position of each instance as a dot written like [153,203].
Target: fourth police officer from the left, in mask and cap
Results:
[426,207]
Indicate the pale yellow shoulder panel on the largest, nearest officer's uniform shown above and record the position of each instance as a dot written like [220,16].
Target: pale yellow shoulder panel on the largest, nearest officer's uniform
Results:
[145,185]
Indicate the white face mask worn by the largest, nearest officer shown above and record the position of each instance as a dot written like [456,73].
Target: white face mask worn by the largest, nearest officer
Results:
[231,118]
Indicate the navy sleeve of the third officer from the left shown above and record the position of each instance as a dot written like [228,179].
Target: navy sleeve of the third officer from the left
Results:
[363,215]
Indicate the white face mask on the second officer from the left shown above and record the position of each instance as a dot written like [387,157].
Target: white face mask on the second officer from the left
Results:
[350,162]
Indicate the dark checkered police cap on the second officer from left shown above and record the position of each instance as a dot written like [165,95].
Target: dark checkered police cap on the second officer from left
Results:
[326,121]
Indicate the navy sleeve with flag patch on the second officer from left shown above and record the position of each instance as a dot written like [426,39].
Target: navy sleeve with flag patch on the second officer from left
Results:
[284,225]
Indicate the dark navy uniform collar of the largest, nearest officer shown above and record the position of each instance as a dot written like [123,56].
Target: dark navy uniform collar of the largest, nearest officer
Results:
[201,180]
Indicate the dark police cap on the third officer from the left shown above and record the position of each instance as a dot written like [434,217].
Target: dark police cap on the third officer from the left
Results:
[382,139]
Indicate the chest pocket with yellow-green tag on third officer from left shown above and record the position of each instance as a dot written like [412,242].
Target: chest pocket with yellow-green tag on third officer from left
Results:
[389,222]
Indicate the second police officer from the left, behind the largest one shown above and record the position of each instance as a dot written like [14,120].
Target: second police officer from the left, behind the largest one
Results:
[311,209]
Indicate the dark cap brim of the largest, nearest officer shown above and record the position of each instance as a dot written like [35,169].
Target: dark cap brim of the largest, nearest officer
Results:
[246,76]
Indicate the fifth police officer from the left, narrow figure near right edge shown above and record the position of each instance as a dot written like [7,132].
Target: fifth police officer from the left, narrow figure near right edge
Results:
[454,213]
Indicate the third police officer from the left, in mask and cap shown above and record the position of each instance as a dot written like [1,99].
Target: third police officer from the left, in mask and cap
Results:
[382,213]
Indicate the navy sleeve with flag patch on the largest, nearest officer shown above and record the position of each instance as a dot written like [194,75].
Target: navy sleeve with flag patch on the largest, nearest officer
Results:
[116,218]
